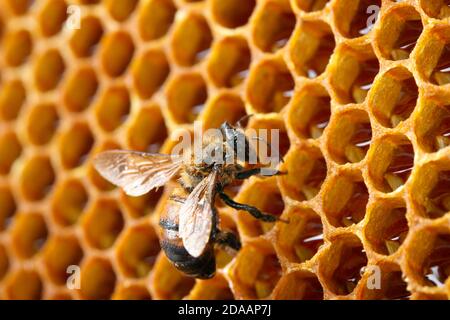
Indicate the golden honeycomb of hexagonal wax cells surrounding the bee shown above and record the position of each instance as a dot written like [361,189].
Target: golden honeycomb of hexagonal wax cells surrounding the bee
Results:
[364,120]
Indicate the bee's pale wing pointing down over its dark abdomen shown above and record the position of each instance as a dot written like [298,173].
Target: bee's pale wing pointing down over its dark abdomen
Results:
[195,217]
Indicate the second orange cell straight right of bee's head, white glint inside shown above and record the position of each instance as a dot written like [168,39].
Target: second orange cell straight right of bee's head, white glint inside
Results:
[350,136]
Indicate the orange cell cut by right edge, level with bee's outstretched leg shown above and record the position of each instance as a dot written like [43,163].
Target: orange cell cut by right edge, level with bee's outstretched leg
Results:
[431,189]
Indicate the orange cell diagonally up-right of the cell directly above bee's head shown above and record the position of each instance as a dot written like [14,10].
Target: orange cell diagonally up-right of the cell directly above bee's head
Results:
[270,86]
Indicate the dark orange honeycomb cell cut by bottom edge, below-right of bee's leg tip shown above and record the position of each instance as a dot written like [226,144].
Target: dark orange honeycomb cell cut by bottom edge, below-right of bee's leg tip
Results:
[298,285]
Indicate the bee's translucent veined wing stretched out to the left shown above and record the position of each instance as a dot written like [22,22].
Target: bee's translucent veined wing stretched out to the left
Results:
[136,172]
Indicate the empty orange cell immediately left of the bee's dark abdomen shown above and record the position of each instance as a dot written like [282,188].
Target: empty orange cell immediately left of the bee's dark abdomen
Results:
[137,251]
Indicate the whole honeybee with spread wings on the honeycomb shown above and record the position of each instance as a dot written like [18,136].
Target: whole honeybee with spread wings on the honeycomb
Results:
[190,225]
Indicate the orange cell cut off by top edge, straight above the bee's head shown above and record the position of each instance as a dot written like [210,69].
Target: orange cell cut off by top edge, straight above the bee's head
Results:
[233,13]
